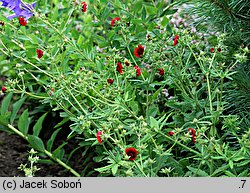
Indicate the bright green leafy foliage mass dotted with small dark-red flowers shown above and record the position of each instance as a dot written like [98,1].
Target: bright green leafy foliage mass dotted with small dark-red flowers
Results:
[142,108]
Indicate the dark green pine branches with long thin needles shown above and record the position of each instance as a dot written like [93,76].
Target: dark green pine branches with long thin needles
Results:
[231,17]
